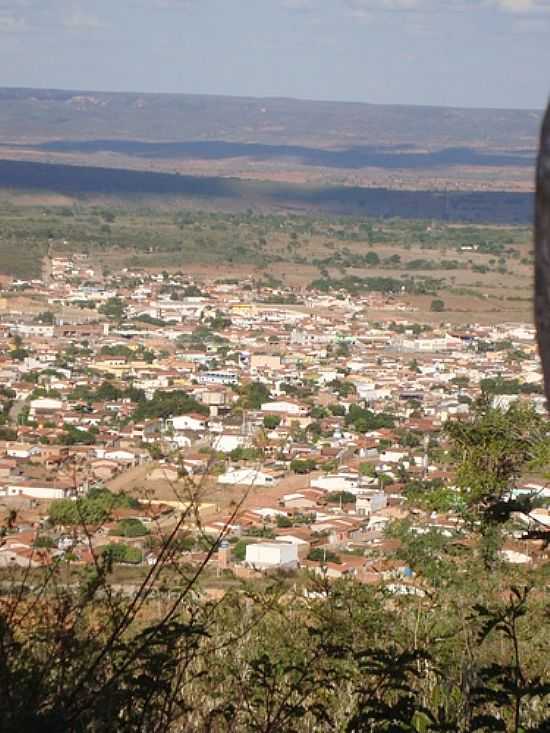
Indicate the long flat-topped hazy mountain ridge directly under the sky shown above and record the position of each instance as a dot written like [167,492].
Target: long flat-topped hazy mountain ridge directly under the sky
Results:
[41,115]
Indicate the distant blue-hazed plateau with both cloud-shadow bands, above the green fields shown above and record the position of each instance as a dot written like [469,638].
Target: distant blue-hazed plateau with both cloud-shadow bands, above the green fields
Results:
[453,164]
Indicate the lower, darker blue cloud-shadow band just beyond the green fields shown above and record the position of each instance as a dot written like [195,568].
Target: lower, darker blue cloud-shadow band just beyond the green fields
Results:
[493,207]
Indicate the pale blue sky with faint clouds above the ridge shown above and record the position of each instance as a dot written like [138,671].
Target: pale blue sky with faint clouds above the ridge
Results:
[470,53]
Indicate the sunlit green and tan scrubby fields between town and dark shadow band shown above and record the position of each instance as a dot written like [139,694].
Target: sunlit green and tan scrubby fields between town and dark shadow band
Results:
[480,272]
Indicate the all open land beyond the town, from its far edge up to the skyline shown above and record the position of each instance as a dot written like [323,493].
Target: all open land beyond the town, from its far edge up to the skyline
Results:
[291,190]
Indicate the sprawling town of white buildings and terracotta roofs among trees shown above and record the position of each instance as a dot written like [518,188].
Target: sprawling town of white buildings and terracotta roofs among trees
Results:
[272,430]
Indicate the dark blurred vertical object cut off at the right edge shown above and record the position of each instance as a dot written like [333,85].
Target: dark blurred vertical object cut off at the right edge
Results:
[542,252]
